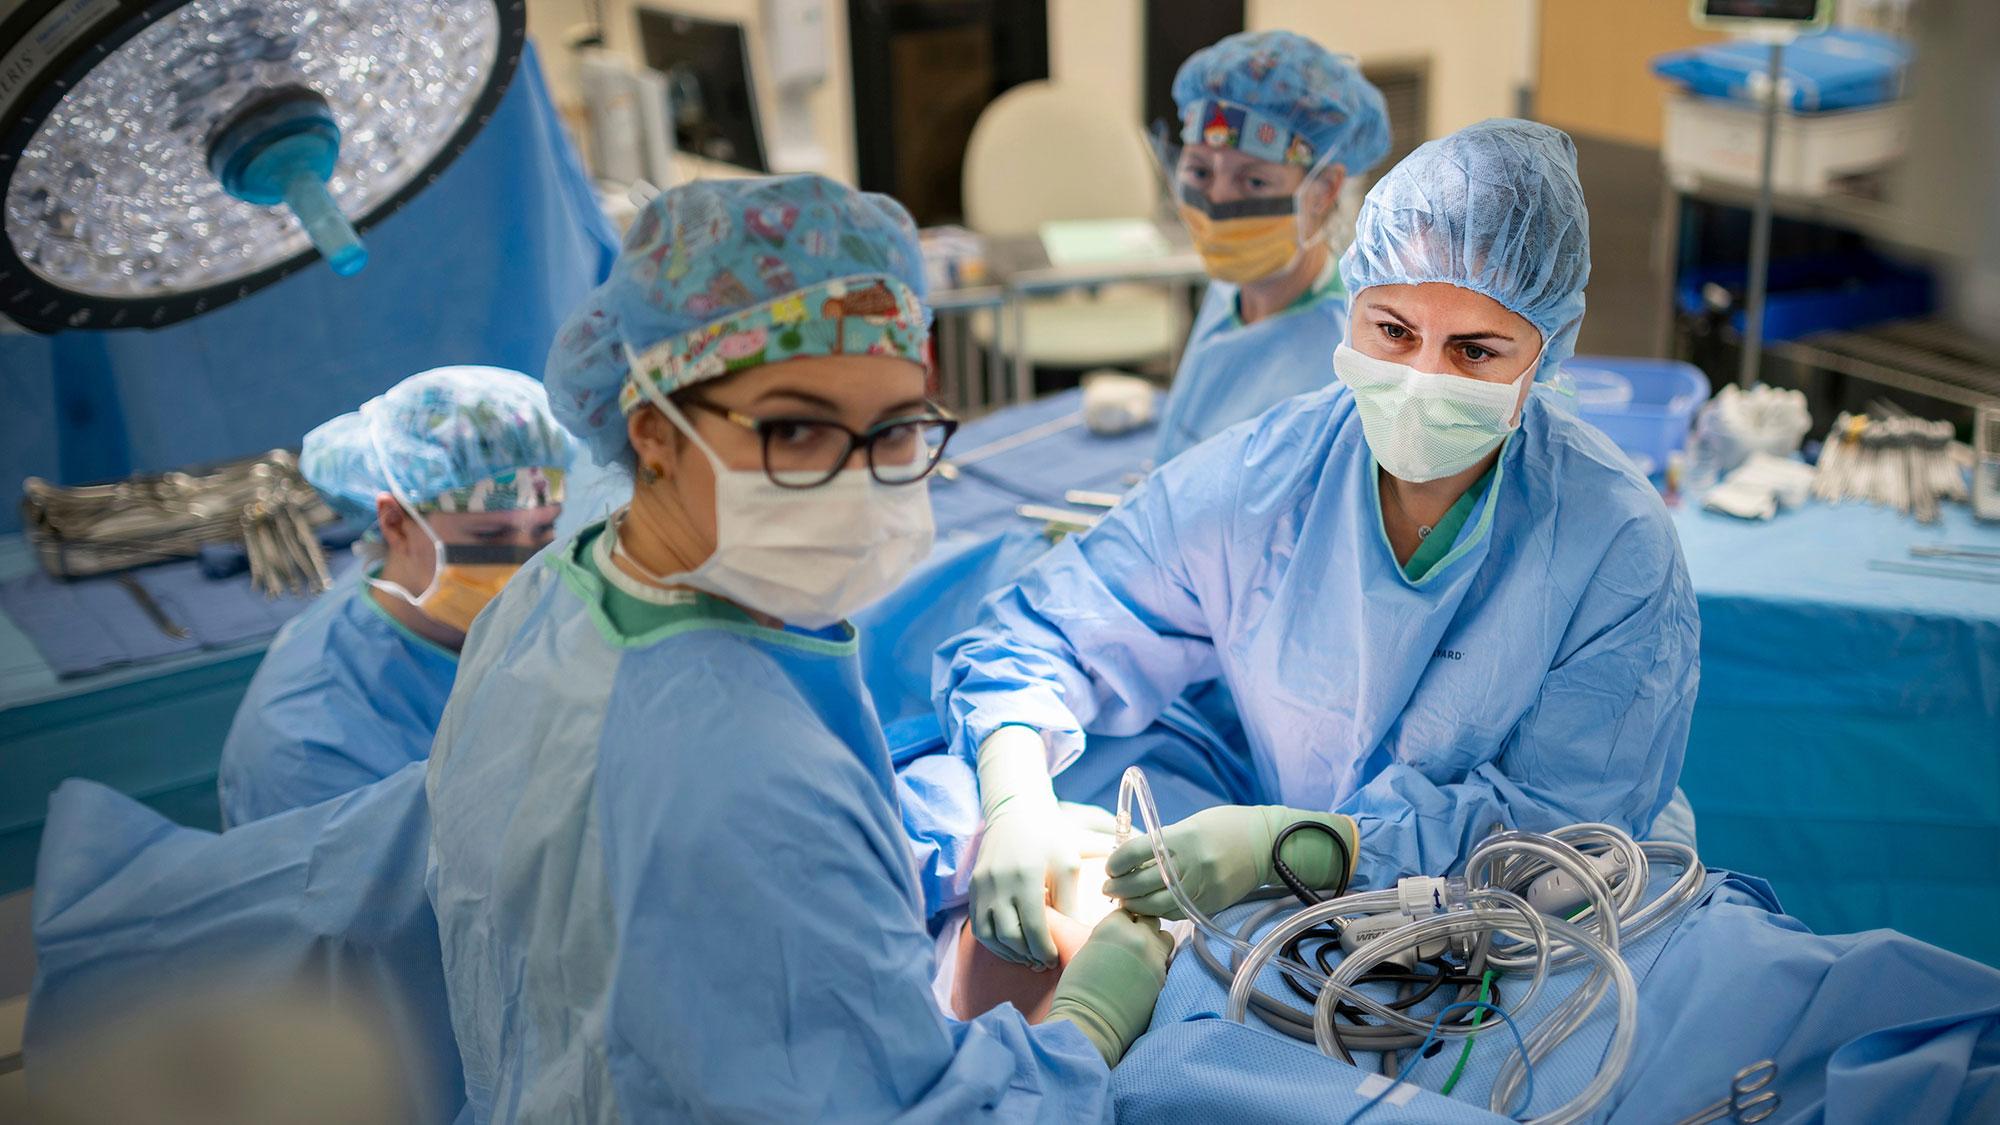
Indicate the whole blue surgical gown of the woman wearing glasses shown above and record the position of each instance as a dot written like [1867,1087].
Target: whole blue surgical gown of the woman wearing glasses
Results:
[673,884]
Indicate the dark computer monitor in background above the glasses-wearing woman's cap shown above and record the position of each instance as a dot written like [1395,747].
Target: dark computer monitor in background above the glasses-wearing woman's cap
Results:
[707,67]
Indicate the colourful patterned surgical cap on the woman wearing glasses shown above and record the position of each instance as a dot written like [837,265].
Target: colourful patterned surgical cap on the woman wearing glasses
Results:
[725,275]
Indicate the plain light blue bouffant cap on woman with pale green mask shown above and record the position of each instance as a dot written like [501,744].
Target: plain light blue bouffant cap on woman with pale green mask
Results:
[1495,209]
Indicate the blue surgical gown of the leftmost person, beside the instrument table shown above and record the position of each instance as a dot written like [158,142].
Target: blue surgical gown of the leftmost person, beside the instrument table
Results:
[345,698]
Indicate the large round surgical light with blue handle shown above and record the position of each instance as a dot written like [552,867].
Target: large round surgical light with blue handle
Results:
[159,161]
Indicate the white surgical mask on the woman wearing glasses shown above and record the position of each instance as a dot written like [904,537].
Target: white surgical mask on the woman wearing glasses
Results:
[809,557]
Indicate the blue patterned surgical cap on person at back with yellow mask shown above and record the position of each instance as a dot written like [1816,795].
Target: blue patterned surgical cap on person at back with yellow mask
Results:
[1283,99]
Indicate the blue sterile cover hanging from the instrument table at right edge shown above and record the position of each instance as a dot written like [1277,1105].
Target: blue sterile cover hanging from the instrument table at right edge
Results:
[1847,738]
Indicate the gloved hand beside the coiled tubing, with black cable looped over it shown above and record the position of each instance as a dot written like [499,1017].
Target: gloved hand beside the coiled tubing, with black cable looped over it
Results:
[1225,854]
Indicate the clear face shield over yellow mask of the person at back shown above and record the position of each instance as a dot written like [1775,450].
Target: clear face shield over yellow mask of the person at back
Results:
[1247,217]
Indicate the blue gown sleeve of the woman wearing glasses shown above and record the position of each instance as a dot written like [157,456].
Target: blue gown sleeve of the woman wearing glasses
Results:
[771,962]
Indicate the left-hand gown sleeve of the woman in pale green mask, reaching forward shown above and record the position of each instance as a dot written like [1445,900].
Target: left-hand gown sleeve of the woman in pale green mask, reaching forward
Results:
[1107,630]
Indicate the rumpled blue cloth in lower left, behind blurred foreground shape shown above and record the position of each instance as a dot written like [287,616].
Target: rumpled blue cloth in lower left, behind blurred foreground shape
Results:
[323,904]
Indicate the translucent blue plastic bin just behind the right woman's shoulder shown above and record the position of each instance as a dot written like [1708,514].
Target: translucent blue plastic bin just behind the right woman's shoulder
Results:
[1645,407]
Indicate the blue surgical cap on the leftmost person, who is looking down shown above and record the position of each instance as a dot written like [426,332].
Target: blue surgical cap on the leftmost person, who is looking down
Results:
[455,439]
